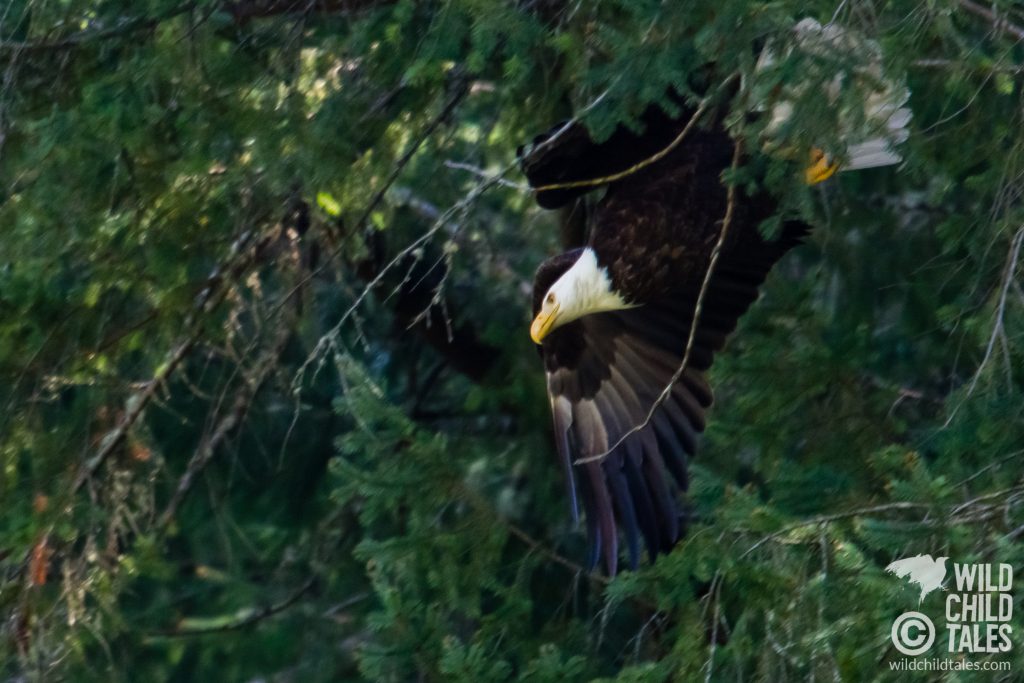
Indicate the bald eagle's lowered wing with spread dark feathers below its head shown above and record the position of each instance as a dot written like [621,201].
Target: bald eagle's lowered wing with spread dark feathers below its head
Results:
[606,372]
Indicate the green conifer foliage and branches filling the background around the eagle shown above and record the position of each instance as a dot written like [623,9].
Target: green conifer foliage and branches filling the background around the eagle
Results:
[270,407]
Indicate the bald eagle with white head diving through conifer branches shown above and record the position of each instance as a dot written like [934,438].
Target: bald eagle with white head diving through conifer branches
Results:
[613,319]
